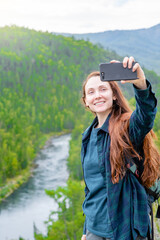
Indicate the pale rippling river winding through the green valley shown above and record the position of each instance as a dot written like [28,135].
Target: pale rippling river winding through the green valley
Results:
[29,205]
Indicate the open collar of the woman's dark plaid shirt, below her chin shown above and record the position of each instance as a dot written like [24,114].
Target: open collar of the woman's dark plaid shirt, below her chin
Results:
[104,127]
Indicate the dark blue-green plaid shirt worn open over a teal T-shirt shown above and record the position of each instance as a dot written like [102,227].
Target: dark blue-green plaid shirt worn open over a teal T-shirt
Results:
[127,200]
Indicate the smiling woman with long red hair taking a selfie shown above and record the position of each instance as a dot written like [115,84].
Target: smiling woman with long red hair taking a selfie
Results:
[116,204]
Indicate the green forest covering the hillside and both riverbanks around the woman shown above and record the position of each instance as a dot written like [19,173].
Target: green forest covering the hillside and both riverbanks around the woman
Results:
[41,75]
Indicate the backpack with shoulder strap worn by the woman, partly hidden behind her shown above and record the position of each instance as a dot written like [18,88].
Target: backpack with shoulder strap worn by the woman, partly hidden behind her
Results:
[153,192]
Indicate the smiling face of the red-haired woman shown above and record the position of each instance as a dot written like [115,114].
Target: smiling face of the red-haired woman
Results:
[98,96]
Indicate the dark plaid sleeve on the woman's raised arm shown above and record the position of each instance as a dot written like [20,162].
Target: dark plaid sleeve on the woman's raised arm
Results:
[142,119]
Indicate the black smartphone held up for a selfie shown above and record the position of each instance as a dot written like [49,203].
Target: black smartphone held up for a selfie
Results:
[116,72]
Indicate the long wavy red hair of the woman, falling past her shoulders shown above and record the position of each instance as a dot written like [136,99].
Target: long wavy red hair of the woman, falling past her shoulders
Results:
[121,146]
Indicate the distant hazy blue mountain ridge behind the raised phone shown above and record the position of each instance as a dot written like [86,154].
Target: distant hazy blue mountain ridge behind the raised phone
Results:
[142,43]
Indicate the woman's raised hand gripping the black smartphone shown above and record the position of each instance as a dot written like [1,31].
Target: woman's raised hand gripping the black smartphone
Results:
[141,81]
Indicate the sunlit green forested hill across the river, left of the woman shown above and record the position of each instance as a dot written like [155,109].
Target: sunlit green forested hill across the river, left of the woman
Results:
[40,78]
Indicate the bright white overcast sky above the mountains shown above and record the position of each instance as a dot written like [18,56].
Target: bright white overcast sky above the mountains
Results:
[80,16]
